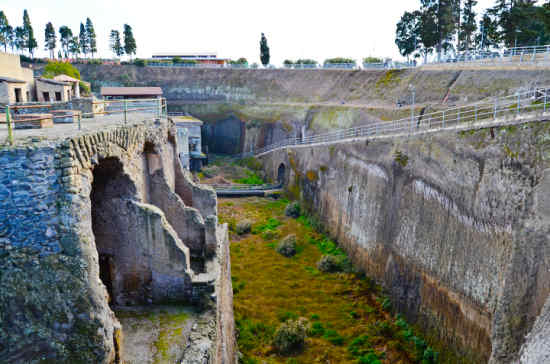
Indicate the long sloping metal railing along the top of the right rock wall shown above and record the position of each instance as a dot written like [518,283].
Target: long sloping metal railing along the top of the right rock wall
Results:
[513,109]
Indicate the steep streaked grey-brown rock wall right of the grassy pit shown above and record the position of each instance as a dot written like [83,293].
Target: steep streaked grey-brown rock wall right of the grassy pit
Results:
[454,226]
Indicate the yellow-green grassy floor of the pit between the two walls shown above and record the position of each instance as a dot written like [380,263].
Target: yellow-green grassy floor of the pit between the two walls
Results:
[351,319]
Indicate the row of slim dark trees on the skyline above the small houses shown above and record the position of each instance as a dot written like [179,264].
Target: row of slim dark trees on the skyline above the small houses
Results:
[22,39]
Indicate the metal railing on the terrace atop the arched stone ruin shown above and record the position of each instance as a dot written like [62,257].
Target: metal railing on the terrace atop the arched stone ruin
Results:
[101,109]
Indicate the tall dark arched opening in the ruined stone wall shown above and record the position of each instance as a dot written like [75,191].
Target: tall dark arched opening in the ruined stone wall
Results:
[110,189]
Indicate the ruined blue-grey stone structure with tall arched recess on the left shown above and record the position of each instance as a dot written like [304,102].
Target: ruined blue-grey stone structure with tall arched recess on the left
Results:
[100,218]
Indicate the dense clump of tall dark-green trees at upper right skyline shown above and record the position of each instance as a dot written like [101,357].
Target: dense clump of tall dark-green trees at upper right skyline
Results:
[452,26]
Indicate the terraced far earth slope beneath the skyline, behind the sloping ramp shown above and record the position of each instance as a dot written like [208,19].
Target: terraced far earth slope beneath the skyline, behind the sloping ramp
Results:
[245,109]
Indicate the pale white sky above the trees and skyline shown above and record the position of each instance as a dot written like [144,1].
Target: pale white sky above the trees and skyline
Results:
[232,29]
